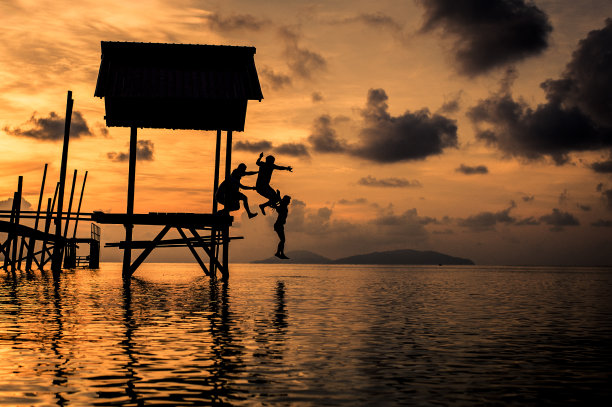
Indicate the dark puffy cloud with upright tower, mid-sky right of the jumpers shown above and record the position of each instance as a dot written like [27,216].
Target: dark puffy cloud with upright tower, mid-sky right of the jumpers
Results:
[384,138]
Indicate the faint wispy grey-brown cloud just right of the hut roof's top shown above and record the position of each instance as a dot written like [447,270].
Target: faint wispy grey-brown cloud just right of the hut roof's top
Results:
[301,61]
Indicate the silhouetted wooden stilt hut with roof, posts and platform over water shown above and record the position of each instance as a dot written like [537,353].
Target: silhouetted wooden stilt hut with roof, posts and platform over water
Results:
[176,86]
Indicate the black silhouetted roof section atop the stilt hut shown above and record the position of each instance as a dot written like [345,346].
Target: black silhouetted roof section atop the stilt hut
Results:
[178,86]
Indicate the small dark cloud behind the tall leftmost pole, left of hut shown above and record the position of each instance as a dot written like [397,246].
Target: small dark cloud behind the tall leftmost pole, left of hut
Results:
[51,128]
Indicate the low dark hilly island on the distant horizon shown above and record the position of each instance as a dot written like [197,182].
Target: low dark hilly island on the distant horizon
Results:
[406,256]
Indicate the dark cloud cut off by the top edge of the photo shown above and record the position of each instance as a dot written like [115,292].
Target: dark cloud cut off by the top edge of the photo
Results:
[489,33]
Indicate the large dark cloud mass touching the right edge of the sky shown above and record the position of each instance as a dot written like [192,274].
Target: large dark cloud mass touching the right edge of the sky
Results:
[576,117]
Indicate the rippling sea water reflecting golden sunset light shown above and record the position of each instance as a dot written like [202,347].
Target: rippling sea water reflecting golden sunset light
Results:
[308,335]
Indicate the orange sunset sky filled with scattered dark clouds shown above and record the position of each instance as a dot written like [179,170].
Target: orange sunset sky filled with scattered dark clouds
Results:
[480,129]
